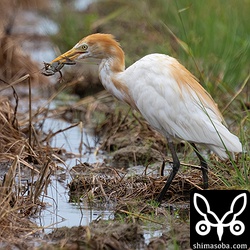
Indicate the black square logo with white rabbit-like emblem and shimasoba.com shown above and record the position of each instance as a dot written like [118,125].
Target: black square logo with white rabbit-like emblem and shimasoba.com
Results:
[220,219]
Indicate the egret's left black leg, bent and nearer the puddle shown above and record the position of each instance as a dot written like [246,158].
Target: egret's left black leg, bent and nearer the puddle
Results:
[176,166]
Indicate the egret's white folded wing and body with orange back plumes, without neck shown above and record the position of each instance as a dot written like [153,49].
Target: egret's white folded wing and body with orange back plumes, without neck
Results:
[175,104]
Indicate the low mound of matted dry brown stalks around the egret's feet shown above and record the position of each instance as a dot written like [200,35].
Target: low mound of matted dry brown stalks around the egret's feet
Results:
[110,186]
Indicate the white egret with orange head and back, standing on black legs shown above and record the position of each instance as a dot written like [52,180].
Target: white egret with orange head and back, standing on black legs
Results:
[167,95]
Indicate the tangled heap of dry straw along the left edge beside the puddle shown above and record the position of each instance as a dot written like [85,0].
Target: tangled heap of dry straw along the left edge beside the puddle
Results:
[17,156]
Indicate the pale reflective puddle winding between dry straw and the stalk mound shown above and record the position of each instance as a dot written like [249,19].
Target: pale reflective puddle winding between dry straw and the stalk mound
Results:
[59,212]
